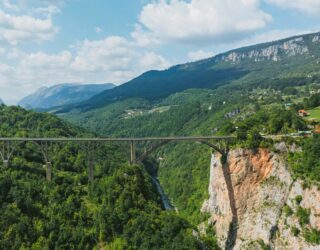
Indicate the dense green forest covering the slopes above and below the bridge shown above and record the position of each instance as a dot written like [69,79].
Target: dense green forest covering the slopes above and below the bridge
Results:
[122,209]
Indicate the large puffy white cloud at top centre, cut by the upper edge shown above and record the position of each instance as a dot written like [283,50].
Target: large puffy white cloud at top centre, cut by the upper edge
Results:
[201,21]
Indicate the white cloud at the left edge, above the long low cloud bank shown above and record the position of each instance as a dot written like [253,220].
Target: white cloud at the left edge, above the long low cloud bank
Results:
[17,28]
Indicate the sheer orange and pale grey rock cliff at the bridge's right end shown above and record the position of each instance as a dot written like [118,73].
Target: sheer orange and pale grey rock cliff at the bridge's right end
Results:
[248,197]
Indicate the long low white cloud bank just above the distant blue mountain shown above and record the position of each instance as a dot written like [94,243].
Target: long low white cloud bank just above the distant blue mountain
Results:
[113,59]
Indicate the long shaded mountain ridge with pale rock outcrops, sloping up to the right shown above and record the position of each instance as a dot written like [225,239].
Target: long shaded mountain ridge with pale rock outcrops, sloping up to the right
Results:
[280,61]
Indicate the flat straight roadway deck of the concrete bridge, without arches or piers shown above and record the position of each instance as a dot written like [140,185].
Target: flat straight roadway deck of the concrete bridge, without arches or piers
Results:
[128,139]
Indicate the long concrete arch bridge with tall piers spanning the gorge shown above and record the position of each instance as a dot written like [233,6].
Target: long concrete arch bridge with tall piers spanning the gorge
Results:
[9,145]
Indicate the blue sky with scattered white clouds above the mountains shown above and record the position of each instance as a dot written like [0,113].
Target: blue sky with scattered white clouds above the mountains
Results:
[49,42]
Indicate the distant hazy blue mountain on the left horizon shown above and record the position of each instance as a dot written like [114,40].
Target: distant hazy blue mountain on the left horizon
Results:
[62,94]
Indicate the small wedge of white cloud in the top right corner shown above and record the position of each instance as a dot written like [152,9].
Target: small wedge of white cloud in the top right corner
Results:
[306,6]
